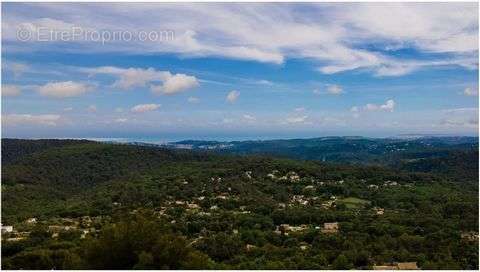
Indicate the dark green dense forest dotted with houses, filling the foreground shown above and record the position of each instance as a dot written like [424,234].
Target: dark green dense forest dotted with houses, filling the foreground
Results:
[89,205]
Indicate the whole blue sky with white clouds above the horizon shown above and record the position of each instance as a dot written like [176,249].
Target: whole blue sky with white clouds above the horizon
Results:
[238,71]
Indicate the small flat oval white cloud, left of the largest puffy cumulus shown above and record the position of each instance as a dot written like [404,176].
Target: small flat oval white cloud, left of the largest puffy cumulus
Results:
[63,89]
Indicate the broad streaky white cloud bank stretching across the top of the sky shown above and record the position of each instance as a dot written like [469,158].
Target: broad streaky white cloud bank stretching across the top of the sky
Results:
[335,40]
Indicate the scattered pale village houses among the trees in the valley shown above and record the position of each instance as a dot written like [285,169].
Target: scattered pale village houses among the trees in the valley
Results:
[214,203]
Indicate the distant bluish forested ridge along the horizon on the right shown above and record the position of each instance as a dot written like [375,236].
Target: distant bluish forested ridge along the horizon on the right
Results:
[344,149]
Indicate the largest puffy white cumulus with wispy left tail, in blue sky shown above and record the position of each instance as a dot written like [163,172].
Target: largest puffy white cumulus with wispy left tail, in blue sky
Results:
[160,82]
